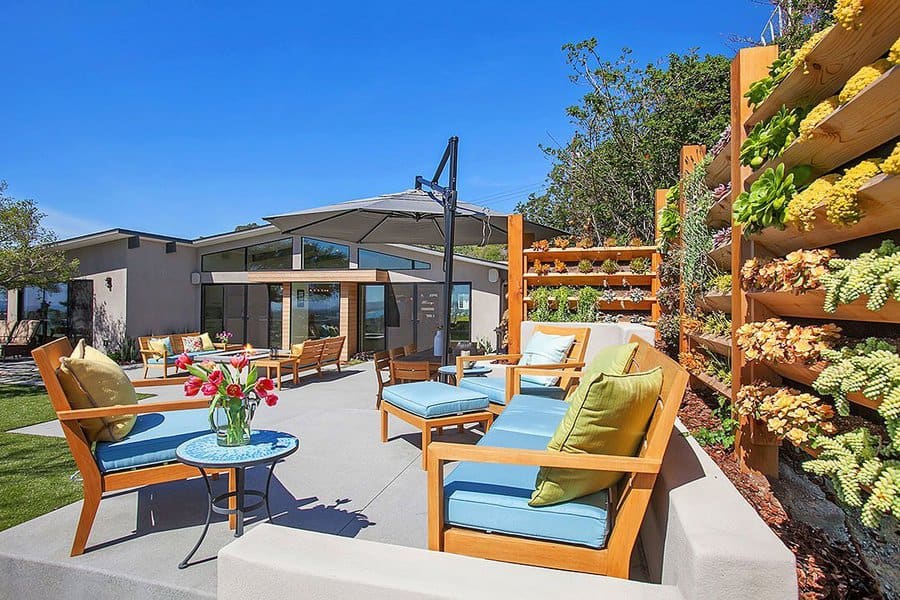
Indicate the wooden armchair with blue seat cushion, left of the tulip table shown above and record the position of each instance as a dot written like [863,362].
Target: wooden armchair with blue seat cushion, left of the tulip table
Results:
[145,456]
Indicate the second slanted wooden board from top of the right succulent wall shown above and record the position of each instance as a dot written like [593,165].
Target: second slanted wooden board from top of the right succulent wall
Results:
[869,120]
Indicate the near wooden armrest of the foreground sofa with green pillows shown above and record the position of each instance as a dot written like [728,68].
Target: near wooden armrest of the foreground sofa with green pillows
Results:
[446,451]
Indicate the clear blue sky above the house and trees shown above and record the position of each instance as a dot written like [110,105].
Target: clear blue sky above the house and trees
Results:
[187,118]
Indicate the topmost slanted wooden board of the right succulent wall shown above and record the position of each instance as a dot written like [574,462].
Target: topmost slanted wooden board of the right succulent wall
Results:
[839,55]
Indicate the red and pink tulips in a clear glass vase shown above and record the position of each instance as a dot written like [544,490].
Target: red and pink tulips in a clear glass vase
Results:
[236,390]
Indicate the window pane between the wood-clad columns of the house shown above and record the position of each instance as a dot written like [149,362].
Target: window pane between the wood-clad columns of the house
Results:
[315,311]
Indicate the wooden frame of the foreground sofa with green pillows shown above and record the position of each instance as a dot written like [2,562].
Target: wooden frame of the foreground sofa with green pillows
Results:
[626,502]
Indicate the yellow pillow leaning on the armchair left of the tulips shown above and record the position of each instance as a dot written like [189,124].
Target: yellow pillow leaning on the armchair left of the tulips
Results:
[91,379]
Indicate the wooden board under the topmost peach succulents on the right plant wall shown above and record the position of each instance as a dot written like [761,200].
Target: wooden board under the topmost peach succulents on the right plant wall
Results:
[810,306]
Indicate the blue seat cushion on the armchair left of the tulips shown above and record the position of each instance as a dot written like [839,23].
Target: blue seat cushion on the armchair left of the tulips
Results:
[152,440]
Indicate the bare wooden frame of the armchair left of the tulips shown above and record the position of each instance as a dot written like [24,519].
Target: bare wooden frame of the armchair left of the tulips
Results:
[94,482]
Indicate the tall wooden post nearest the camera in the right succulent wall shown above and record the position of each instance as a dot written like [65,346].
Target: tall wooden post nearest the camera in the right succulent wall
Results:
[751,64]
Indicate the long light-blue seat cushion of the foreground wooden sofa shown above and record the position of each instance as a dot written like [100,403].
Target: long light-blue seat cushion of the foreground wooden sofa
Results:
[494,498]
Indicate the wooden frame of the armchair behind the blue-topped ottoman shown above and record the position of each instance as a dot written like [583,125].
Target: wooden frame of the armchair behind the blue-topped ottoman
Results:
[565,370]
